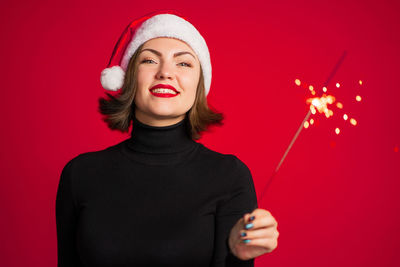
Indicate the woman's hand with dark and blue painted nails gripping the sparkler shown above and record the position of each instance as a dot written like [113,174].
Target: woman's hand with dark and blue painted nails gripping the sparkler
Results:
[261,231]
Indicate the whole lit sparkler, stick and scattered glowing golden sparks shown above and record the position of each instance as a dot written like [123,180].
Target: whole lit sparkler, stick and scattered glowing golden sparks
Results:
[316,103]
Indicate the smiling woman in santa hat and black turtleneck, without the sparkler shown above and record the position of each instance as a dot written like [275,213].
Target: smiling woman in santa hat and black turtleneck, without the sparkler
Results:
[159,198]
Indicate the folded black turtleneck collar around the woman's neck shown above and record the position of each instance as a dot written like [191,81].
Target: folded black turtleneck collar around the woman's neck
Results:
[160,139]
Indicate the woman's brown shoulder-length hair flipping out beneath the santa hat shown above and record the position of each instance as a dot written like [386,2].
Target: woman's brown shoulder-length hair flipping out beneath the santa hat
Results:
[119,109]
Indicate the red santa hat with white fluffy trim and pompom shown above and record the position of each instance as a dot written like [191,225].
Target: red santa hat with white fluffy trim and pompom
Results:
[157,24]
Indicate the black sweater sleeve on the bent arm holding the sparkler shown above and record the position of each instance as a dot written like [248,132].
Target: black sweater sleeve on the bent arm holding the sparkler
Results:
[241,199]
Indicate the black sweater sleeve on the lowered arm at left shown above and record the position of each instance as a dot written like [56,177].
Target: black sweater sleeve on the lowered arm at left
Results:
[66,220]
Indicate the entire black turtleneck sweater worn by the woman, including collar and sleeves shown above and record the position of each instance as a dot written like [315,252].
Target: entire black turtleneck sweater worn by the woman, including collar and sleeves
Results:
[156,199]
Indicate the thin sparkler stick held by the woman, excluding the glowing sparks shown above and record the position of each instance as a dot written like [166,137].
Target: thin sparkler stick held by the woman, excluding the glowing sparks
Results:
[333,72]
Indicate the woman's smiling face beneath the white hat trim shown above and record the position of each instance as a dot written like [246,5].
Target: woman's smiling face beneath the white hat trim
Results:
[166,61]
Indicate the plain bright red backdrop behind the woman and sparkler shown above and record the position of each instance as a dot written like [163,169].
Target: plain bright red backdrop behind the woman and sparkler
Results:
[335,197]
